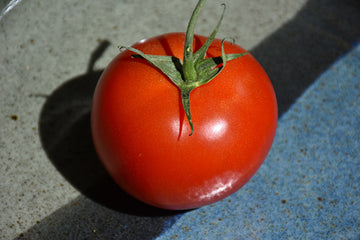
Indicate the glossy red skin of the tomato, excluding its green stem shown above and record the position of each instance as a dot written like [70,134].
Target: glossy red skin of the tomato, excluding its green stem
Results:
[141,134]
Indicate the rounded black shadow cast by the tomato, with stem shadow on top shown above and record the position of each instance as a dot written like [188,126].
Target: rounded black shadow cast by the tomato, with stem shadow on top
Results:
[66,137]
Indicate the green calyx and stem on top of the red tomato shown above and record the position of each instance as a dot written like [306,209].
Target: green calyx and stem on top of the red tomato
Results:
[194,70]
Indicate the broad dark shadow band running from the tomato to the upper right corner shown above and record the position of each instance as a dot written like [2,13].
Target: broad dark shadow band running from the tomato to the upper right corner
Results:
[296,54]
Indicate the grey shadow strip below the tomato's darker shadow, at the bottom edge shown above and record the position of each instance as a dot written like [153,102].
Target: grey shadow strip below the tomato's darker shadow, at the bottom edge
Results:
[85,219]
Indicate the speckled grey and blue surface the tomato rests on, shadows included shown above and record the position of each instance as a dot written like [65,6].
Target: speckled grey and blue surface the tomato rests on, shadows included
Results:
[52,185]
